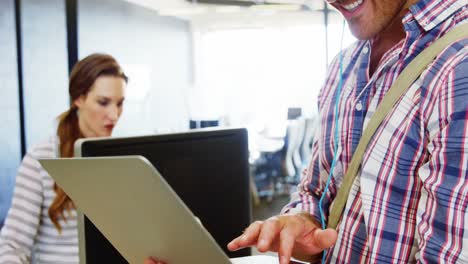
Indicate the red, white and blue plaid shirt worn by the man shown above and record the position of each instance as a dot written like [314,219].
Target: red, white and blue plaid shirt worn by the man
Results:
[409,202]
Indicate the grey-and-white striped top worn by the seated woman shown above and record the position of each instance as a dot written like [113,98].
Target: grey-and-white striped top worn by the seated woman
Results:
[29,236]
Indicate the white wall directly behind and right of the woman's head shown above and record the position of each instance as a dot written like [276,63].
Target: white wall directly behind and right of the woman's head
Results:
[154,51]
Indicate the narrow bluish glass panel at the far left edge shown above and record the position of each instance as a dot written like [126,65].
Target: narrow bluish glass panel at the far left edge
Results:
[10,149]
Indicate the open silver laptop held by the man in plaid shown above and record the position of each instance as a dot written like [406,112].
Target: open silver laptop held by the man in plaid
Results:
[133,206]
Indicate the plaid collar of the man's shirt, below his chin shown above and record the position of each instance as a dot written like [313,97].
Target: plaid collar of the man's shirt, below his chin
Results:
[430,13]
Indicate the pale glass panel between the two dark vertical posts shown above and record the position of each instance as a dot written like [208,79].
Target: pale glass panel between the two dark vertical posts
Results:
[45,66]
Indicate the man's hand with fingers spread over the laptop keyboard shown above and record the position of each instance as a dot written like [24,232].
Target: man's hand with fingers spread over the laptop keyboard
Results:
[295,235]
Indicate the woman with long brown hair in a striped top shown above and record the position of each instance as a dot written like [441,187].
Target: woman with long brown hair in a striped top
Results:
[41,225]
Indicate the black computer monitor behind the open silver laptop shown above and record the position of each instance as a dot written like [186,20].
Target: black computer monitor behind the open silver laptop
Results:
[208,169]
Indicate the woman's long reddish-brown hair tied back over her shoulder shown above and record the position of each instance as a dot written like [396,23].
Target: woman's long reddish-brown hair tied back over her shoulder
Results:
[82,77]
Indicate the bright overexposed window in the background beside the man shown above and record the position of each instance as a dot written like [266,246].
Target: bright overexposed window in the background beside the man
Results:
[251,76]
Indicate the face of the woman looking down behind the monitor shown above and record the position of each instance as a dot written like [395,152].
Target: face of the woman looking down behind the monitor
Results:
[100,109]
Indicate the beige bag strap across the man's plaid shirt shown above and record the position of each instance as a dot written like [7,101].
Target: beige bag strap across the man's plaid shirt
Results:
[409,75]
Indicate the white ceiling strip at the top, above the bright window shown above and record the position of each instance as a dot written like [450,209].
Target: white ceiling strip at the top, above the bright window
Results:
[211,16]
